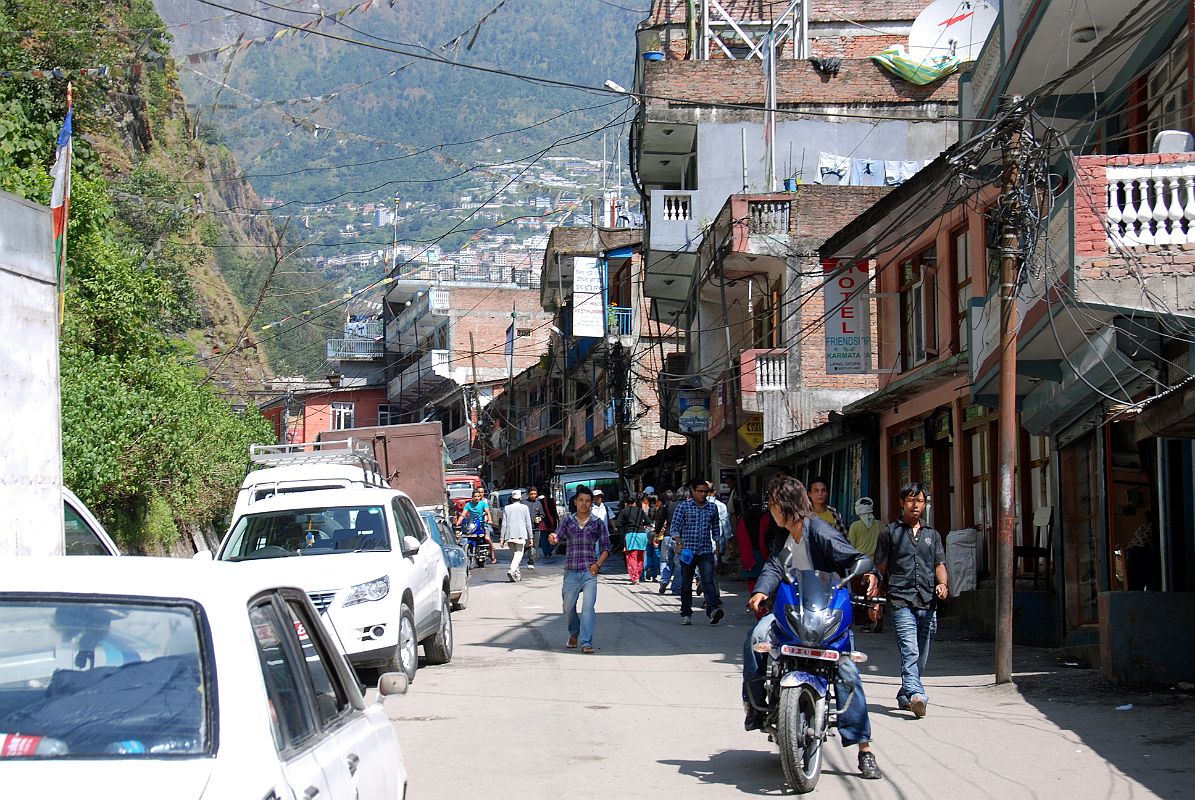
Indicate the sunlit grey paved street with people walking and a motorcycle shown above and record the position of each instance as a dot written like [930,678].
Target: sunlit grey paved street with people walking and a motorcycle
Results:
[655,712]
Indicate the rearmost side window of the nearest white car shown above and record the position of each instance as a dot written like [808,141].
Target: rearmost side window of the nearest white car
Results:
[291,718]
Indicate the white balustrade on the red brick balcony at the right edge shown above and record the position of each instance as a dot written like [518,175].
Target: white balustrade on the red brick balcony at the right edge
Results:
[1151,205]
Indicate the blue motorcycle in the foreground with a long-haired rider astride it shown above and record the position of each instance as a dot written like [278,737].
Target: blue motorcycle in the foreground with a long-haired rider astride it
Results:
[810,637]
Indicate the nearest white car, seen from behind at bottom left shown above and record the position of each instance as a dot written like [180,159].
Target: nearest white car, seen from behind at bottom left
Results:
[160,677]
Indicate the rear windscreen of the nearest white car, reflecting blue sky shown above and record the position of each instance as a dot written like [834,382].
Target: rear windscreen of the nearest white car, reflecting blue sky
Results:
[102,679]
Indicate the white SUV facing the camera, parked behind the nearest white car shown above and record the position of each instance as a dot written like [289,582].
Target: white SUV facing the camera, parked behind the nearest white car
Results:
[366,560]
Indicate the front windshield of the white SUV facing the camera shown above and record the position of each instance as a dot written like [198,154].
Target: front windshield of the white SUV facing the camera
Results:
[308,533]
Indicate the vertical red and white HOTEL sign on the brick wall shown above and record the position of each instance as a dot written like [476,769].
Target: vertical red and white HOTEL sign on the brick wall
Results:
[848,320]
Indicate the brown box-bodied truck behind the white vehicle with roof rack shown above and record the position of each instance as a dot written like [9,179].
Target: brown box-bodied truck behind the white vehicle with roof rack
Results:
[410,457]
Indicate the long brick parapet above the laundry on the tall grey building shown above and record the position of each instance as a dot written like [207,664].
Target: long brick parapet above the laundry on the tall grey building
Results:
[860,81]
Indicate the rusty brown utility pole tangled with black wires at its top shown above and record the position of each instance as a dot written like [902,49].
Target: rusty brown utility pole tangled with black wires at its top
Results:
[1010,257]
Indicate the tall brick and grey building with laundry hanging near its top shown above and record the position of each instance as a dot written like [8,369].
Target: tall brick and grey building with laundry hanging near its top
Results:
[733,261]
